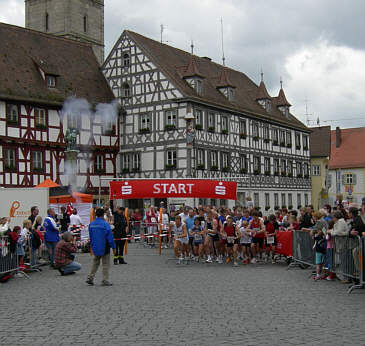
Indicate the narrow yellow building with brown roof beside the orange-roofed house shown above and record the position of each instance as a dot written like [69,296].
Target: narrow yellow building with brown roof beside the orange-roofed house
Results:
[320,150]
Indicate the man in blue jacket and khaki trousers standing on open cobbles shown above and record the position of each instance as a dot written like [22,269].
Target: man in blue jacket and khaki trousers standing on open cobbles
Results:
[101,240]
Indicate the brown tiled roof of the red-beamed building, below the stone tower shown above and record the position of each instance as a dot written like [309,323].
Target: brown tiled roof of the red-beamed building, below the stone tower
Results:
[24,51]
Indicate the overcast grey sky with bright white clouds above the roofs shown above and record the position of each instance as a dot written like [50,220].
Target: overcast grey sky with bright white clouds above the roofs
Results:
[317,47]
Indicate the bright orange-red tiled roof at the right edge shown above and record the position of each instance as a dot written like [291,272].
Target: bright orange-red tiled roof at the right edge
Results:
[350,153]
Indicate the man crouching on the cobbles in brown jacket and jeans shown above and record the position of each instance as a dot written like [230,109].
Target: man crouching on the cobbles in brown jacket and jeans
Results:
[65,255]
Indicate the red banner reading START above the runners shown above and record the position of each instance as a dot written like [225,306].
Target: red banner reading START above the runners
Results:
[172,188]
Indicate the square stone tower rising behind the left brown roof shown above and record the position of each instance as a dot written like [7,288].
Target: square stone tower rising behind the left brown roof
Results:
[81,20]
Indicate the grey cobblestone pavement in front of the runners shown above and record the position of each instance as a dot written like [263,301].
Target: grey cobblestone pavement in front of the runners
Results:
[155,302]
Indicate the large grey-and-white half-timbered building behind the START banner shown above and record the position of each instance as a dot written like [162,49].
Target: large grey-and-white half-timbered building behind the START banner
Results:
[241,132]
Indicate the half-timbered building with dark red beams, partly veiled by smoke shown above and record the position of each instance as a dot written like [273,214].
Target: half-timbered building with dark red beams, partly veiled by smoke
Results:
[37,73]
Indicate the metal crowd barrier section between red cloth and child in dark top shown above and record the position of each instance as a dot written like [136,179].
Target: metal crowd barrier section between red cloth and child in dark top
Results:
[303,253]
